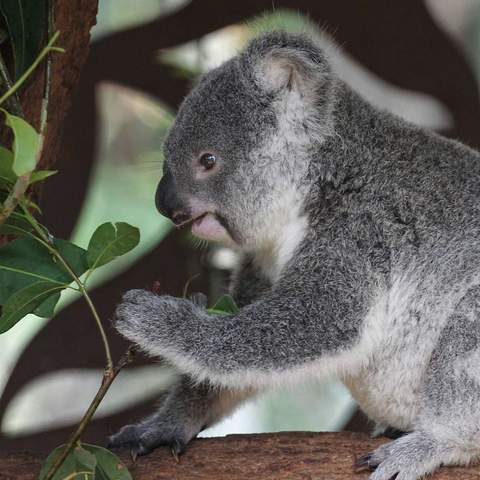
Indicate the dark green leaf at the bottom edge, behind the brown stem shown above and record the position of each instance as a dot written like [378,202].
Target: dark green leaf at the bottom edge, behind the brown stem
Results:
[80,464]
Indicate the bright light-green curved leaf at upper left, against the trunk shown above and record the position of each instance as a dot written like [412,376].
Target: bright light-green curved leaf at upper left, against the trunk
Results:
[25,144]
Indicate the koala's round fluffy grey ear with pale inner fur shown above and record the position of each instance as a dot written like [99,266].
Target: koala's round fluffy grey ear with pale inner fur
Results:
[278,62]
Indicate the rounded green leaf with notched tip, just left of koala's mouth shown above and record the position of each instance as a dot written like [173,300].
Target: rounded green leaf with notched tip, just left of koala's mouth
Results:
[109,241]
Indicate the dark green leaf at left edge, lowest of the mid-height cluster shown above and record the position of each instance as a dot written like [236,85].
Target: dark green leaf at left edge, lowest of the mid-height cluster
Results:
[25,301]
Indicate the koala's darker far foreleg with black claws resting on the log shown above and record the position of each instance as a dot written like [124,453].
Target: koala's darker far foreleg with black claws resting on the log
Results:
[185,412]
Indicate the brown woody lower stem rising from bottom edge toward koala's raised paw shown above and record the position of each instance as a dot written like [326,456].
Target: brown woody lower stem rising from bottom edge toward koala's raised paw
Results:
[108,378]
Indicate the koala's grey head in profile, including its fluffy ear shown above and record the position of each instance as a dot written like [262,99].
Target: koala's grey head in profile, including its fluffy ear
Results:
[238,153]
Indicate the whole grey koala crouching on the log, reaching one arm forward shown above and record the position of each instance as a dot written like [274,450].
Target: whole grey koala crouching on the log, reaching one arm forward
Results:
[359,239]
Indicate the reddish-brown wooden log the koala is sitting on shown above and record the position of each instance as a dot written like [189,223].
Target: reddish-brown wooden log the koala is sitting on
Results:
[276,456]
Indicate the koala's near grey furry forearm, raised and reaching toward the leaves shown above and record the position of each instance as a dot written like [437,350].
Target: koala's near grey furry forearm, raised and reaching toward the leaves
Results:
[266,342]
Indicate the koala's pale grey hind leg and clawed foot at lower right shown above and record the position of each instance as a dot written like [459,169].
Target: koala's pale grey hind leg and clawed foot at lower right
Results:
[448,425]
